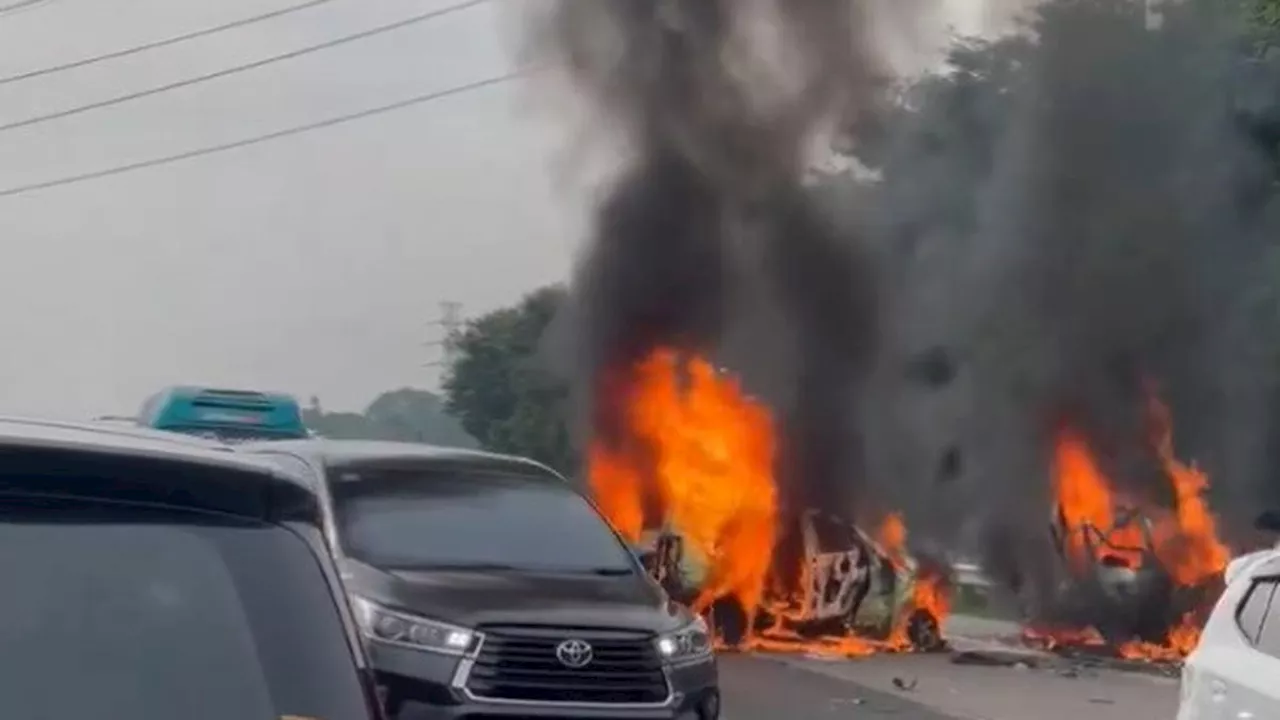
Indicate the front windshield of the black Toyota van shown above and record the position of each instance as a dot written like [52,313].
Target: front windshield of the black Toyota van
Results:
[415,520]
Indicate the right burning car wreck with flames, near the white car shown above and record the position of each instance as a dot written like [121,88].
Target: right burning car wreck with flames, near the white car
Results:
[1139,577]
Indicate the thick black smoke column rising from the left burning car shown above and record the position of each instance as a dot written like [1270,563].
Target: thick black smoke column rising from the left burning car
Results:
[708,241]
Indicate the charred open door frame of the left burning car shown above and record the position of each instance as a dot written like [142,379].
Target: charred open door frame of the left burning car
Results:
[838,568]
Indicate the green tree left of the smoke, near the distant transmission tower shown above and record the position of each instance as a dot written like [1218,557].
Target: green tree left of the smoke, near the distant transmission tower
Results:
[502,391]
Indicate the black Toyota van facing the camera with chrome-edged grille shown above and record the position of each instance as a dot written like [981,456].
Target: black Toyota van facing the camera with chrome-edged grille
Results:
[488,587]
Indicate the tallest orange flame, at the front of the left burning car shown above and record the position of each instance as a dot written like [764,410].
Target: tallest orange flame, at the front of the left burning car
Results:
[711,467]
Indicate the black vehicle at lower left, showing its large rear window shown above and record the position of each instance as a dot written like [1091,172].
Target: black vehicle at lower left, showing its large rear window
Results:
[154,577]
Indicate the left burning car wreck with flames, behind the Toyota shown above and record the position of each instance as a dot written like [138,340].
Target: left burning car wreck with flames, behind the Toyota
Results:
[697,494]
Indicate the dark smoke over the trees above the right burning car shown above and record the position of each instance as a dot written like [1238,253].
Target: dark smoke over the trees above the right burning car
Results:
[1073,216]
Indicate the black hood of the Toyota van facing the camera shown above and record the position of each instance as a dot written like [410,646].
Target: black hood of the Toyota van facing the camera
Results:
[487,598]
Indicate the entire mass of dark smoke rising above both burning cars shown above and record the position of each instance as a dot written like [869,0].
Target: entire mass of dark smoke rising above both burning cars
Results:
[1073,216]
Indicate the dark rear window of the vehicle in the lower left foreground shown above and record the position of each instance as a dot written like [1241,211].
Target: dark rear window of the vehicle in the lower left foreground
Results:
[116,613]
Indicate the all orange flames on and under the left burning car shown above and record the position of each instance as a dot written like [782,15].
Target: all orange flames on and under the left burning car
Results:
[703,464]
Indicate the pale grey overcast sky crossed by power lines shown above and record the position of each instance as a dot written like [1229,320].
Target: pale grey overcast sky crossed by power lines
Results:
[312,265]
